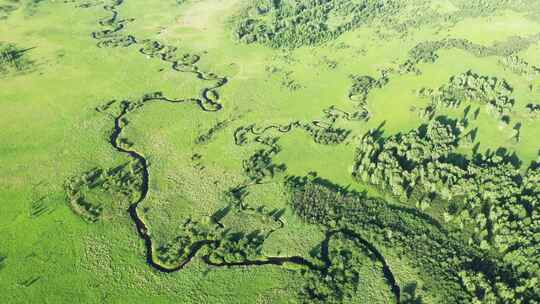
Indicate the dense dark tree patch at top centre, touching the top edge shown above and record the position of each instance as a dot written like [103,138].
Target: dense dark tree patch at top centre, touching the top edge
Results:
[291,24]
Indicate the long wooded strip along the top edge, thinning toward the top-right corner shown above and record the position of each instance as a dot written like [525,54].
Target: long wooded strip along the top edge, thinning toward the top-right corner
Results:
[296,23]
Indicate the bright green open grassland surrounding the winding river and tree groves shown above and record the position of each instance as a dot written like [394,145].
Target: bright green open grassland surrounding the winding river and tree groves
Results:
[50,131]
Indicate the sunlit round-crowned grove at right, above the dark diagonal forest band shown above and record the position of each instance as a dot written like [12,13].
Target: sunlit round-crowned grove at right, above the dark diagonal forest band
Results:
[495,205]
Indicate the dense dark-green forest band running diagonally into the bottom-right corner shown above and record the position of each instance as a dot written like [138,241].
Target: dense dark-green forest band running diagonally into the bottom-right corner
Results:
[459,272]
